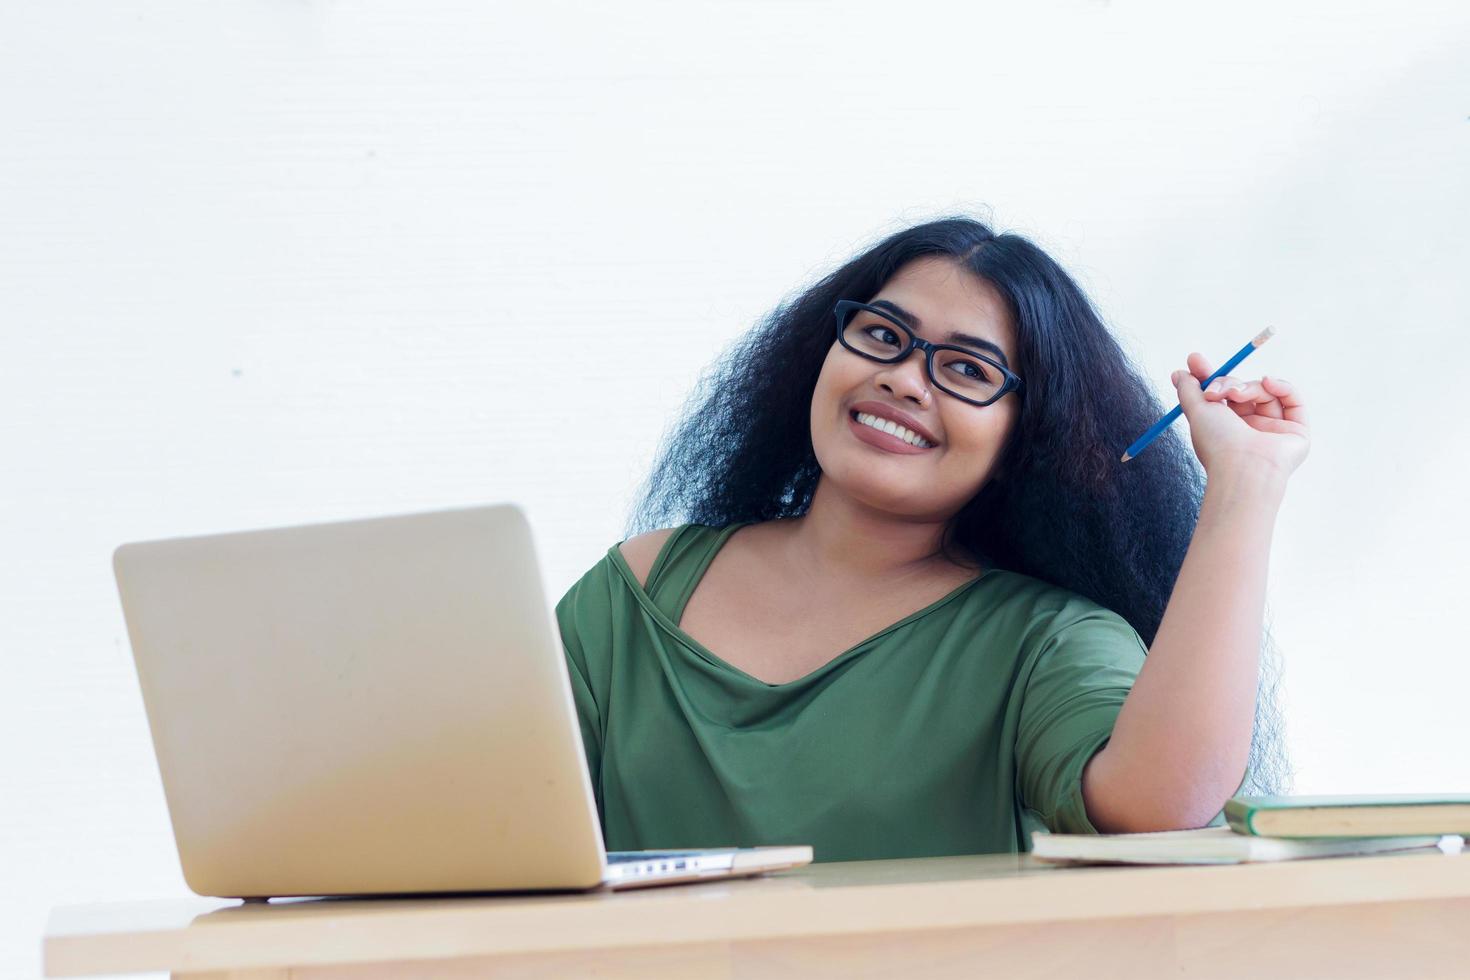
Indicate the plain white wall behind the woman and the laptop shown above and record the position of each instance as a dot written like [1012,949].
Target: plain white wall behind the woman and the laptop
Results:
[268,264]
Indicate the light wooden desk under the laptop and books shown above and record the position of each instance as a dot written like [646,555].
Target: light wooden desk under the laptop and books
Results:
[1000,916]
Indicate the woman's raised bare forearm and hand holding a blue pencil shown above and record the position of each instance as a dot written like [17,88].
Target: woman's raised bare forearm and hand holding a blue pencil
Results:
[1181,743]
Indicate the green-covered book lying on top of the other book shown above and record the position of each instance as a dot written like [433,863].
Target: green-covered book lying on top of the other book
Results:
[1350,816]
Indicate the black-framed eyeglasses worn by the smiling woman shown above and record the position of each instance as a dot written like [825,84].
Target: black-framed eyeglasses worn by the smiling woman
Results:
[956,371]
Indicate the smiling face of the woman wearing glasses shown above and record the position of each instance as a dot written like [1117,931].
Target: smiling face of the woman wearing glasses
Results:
[921,483]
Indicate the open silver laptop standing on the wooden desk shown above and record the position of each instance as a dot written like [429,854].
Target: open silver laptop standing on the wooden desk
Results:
[376,707]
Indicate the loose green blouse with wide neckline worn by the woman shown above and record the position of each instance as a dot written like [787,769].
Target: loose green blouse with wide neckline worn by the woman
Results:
[959,729]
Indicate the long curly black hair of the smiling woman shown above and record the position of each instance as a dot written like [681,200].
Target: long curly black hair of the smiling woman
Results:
[1061,506]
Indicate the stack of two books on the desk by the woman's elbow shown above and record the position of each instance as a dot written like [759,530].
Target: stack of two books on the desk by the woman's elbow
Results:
[1280,829]
